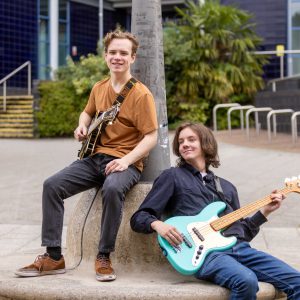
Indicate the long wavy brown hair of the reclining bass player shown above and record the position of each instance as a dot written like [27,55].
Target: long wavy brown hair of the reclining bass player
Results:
[207,140]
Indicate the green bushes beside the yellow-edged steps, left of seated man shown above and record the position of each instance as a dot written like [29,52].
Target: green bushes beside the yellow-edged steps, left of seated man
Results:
[63,100]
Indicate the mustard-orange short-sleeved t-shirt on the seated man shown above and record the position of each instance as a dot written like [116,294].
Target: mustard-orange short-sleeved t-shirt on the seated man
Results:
[136,118]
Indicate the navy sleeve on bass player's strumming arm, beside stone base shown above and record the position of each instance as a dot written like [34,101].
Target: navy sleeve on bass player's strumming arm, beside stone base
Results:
[154,204]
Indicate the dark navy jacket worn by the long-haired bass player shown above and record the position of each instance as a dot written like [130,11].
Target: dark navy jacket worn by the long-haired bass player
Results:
[180,191]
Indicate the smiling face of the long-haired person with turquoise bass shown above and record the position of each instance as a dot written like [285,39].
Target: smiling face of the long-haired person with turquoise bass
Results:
[190,147]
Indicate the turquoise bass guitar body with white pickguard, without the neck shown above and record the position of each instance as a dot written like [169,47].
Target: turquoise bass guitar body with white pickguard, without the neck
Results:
[200,239]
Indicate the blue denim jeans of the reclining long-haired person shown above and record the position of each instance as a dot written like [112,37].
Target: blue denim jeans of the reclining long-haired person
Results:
[241,267]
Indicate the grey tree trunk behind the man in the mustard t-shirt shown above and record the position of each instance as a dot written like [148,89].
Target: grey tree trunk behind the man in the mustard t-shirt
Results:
[146,25]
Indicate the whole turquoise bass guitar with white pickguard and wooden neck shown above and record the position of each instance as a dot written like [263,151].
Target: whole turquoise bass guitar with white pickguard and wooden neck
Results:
[202,233]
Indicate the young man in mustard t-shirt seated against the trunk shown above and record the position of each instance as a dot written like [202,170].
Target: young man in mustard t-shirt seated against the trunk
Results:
[115,165]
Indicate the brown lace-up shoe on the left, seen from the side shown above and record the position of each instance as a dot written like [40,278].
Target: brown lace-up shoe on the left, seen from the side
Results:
[43,265]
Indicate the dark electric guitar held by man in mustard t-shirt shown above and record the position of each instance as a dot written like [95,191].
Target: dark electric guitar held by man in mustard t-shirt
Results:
[107,118]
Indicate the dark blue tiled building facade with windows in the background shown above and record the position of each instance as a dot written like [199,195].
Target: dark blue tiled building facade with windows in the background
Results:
[45,32]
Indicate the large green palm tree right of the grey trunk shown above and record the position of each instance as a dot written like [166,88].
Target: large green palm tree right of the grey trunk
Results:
[209,59]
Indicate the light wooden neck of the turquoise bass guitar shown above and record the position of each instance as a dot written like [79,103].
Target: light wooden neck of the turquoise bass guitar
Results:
[238,214]
